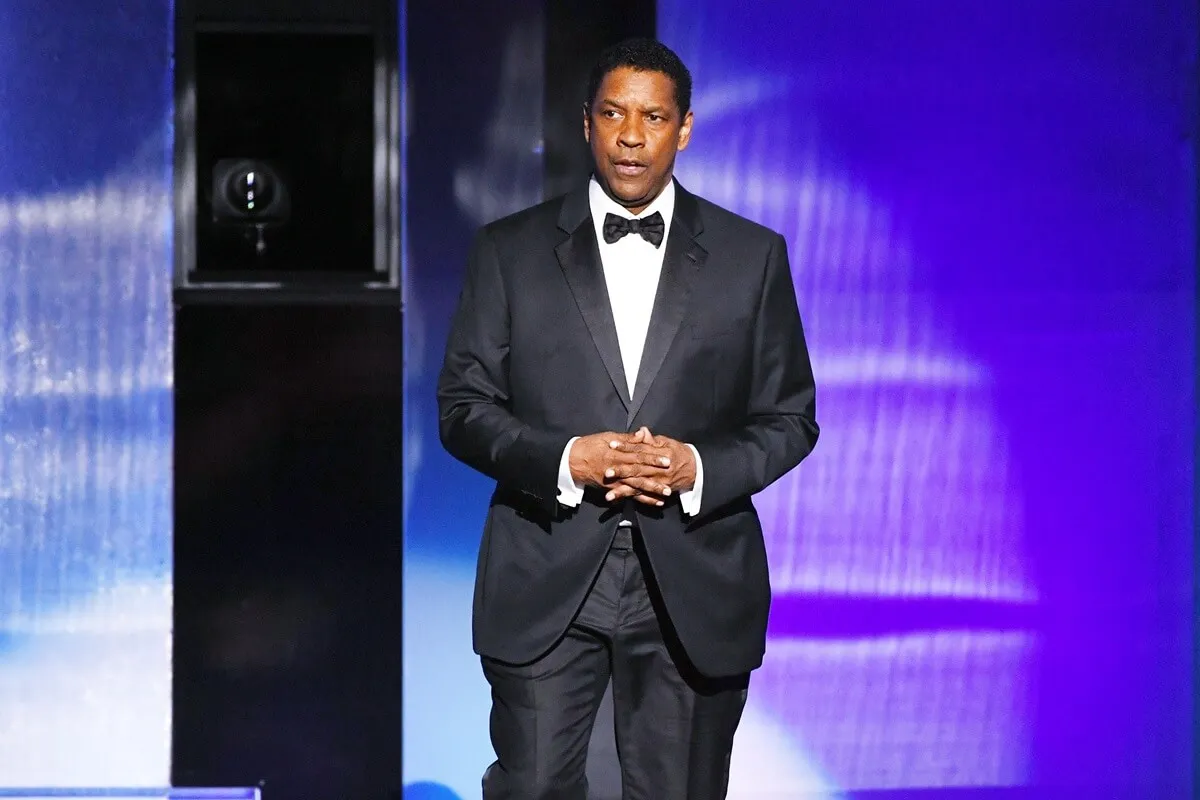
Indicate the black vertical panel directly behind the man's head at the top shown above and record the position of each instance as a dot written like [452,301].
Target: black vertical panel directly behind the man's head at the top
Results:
[577,33]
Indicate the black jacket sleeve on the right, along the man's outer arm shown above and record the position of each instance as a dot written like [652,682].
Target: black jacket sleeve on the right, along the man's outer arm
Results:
[781,426]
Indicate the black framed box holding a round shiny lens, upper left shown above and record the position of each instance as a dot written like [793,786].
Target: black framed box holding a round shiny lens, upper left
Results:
[287,153]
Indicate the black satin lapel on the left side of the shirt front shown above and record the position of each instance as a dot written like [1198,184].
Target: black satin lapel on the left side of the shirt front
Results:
[580,260]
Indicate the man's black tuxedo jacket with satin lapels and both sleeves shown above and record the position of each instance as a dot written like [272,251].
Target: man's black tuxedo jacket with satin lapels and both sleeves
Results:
[533,360]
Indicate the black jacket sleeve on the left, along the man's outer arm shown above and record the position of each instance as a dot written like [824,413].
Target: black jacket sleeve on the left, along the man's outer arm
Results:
[477,425]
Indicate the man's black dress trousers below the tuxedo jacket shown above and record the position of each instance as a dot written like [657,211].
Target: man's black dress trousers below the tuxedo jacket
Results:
[675,727]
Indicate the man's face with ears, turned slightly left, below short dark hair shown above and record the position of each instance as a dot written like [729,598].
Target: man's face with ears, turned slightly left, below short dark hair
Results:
[635,130]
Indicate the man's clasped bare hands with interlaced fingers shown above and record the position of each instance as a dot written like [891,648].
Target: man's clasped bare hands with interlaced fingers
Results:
[639,466]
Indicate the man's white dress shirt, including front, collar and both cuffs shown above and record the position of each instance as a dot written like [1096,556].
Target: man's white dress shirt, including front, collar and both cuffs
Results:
[632,269]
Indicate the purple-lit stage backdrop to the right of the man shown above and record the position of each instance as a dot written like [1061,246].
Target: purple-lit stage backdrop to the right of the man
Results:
[983,576]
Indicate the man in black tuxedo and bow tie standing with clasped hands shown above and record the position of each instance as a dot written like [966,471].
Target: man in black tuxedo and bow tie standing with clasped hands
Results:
[628,364]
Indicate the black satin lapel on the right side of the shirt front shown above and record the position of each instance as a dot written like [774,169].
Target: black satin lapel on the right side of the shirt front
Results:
[681,264]
